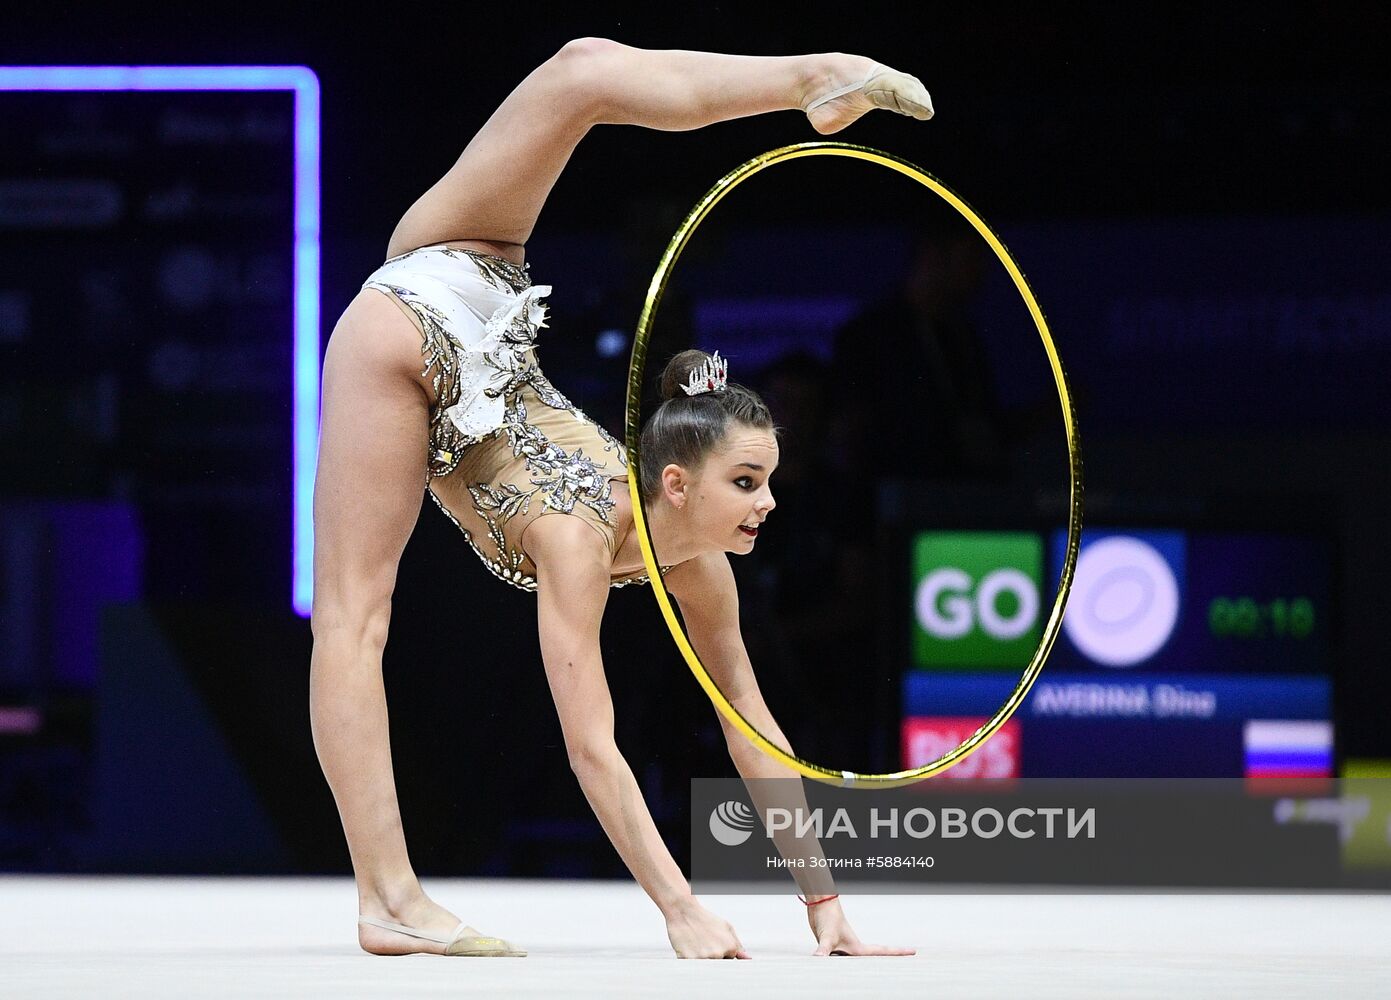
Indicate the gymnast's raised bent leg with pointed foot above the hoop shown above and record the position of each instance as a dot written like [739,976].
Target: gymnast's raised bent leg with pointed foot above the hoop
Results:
[495,194]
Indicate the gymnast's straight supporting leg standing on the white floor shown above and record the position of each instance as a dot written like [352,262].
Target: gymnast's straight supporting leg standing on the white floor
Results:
[372,465]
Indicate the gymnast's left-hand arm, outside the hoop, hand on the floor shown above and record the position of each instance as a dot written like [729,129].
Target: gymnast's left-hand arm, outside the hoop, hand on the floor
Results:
[572,589]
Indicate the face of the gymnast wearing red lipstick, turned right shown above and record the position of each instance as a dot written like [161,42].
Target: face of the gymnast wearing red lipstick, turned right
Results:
[731,496]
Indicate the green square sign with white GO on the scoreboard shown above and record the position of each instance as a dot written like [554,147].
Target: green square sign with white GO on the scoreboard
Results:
[976,599]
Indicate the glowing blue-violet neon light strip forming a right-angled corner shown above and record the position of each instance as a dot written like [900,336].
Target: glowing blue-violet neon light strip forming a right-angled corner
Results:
[305,87]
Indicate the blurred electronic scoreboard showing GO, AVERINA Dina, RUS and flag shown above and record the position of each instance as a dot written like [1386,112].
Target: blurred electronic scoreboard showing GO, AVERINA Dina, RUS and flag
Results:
[1183,653]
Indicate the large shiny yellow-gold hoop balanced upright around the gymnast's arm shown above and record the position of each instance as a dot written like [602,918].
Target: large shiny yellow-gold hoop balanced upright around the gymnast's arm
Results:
[634,430]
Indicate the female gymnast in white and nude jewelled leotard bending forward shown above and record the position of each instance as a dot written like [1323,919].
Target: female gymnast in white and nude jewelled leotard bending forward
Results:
[431,380]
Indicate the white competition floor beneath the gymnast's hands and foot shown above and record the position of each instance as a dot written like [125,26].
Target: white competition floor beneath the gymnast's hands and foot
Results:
[297,938]
